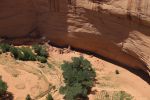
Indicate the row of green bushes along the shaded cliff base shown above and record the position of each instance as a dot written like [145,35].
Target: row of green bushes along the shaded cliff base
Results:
[36,53]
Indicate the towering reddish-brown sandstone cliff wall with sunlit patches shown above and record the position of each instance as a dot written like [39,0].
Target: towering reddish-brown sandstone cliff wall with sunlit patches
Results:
[115,29]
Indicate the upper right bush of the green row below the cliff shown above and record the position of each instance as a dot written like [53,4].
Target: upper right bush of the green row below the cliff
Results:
[40,50]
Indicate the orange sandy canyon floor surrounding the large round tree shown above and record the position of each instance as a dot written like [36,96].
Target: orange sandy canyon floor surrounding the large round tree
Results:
[37,79]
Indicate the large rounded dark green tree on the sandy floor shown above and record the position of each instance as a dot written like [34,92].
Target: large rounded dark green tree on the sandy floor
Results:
[78,77]
